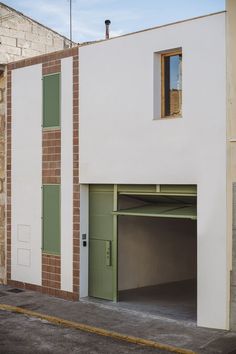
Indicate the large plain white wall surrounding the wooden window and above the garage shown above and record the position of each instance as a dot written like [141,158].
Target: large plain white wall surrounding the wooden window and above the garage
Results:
[120,142]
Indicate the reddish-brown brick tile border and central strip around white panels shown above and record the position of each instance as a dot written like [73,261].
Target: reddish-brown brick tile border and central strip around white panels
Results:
[51,172]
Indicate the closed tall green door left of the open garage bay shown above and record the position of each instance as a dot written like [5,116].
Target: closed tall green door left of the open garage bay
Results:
[102,246]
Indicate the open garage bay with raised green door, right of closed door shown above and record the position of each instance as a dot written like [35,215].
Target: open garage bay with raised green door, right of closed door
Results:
[157,254]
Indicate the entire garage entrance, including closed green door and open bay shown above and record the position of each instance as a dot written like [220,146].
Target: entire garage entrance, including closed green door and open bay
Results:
[143,248]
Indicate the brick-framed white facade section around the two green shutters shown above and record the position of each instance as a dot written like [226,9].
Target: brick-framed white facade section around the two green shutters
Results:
[39,157]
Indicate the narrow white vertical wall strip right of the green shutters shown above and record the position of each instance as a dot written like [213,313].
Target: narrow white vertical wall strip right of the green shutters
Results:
[67,174]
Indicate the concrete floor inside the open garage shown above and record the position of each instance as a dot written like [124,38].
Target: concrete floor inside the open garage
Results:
[177,300]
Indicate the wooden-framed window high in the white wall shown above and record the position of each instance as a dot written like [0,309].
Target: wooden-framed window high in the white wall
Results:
[171,84]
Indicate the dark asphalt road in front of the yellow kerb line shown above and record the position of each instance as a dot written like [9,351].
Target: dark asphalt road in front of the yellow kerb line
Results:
[22,334]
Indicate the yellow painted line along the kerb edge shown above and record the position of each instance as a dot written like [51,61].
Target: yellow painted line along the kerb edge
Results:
[96,330]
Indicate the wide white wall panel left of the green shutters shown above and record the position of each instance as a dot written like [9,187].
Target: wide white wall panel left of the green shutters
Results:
[26,174]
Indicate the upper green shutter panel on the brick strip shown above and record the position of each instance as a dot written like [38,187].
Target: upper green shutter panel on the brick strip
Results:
[51,100]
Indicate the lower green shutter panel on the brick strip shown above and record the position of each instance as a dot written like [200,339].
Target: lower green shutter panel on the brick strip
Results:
[51,219]
